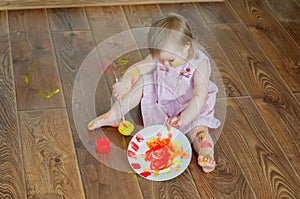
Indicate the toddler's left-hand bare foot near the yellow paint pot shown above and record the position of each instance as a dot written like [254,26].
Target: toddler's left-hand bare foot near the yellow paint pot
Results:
[103,120]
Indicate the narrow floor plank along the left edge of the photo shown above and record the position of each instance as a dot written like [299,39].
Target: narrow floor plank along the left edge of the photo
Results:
[12,182]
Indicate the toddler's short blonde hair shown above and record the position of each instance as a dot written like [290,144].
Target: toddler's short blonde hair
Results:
[168,26]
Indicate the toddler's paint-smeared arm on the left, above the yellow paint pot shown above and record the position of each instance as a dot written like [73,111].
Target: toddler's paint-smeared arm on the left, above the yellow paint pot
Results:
[131,76]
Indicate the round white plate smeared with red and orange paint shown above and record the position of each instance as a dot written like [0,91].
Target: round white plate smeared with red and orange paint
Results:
[167,160]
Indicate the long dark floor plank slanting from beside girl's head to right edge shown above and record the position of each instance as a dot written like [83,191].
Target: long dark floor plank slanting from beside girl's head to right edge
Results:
[274,99]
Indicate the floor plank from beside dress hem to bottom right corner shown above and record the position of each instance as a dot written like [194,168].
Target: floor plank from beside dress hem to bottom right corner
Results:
[265,165]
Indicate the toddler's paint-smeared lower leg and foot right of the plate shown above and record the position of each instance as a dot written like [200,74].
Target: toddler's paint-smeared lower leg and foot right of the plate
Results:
[203,145]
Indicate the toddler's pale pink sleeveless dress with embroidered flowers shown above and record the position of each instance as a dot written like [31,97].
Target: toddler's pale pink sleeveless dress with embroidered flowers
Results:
[167,92]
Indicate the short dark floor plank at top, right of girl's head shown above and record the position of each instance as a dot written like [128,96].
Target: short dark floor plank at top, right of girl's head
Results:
[217,12]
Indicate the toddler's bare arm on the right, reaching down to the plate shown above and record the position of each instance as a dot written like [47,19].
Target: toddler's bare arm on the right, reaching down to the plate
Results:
[201,78]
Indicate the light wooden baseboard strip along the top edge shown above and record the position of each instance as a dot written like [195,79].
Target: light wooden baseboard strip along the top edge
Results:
[30,4]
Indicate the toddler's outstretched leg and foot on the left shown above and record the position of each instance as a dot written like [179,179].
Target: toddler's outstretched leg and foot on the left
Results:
[114,115]
